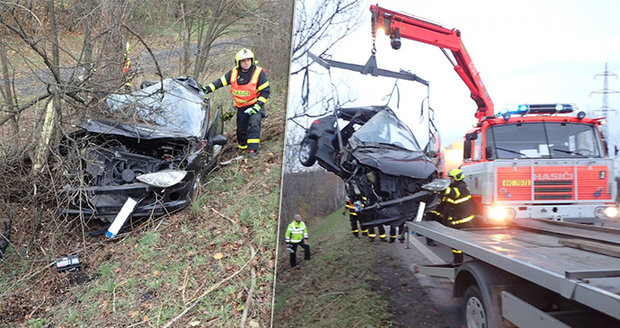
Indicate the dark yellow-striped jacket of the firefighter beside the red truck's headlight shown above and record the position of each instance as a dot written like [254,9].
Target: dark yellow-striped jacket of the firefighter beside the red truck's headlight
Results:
[458,205]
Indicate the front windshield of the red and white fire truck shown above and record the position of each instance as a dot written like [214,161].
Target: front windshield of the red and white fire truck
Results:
[542,140]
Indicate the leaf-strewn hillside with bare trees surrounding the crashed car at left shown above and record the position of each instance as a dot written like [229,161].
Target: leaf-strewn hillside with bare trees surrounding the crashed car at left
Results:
[209,265]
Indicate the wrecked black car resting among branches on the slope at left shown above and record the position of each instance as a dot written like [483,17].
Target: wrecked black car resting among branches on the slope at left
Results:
[161,141]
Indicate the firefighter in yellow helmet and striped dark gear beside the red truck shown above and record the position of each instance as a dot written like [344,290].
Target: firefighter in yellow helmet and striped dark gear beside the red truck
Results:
[456,208]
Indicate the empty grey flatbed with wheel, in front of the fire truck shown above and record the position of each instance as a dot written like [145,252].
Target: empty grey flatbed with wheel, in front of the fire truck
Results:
[535,273]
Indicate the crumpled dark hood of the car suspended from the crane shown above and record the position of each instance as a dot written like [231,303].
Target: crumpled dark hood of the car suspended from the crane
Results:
[394,162]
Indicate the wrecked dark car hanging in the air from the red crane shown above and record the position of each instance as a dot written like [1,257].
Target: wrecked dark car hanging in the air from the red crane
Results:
[379,159]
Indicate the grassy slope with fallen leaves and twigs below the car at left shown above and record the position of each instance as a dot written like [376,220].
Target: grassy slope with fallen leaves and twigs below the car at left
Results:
[150,275]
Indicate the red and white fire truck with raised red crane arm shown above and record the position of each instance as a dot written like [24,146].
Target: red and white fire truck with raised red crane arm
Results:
[528,161]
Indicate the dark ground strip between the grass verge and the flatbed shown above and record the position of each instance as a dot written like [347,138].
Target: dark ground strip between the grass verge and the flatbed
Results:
[417,300]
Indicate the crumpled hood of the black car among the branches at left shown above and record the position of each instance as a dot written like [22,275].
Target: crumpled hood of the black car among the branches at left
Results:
[103,126]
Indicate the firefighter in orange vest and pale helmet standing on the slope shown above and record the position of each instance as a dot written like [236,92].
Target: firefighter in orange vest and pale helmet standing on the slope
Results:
[250,90]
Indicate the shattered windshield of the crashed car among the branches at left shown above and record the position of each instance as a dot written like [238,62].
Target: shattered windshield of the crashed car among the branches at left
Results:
[177,108]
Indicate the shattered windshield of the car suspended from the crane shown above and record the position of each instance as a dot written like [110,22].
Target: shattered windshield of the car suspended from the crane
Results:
[386,129]
